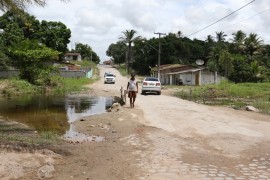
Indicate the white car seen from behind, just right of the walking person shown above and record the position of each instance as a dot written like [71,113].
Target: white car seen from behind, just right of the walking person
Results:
[151,84]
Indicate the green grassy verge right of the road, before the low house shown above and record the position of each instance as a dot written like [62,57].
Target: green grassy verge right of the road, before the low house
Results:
[237,96]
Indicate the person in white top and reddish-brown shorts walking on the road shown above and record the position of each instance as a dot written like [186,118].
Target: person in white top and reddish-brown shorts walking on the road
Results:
[132,88]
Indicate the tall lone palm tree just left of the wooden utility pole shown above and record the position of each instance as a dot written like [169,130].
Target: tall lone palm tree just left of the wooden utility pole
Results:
[128,38]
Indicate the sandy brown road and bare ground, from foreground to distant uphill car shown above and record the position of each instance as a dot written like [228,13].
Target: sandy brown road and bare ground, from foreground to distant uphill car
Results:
[161,138]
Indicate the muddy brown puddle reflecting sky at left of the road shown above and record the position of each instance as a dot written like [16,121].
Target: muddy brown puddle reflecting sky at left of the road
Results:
[50,113]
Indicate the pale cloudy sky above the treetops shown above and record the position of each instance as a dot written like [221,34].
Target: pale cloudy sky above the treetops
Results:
[99,23]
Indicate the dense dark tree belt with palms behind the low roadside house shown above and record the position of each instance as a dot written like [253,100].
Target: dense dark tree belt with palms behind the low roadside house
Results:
[245,59]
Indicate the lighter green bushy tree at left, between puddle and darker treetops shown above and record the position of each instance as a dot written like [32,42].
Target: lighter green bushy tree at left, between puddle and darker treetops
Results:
[30,57]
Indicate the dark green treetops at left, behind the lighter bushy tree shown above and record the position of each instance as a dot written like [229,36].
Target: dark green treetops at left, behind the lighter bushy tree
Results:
[22,26]
